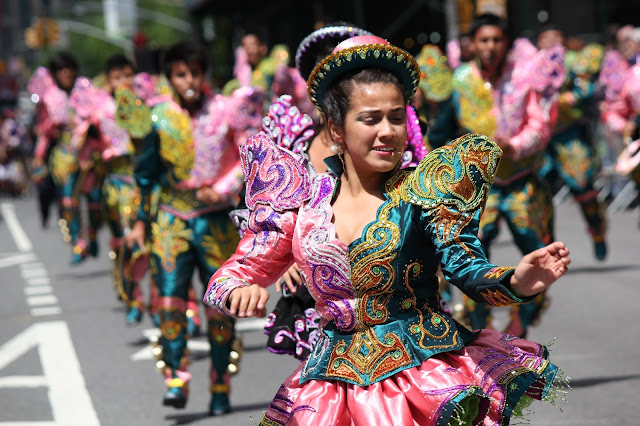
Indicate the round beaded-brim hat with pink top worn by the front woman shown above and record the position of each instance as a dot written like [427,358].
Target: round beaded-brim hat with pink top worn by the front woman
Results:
[360,52]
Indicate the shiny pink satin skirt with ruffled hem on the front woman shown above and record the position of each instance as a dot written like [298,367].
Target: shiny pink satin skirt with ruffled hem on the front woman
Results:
[480,384]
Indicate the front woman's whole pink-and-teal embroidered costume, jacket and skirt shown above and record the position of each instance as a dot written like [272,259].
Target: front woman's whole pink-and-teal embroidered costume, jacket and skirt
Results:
[382,328]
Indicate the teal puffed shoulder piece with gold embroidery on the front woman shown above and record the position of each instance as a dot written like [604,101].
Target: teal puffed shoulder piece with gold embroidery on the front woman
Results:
[458,174]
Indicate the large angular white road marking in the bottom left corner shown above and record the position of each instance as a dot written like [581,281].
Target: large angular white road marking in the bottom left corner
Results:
[70,401]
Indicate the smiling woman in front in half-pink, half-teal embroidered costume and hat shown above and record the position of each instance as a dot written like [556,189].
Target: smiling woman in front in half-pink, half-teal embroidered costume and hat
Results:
[387,354]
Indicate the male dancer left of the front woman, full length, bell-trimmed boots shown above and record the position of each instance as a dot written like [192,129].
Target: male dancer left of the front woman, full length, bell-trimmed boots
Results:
[192,155]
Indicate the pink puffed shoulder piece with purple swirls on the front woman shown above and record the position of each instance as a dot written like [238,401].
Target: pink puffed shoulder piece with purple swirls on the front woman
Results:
[274,176]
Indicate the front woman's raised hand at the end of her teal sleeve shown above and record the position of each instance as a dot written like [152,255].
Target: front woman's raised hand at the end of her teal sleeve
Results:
[539,269]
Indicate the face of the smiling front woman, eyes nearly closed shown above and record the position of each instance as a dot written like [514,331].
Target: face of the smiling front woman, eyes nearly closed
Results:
[375,128]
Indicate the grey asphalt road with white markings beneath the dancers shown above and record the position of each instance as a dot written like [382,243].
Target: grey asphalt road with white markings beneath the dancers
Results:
[67,357]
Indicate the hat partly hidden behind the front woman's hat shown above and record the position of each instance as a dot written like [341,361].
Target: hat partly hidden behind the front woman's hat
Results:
[320,43]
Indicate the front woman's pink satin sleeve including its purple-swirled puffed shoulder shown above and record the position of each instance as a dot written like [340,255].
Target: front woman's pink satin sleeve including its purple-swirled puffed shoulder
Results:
[277,185]
